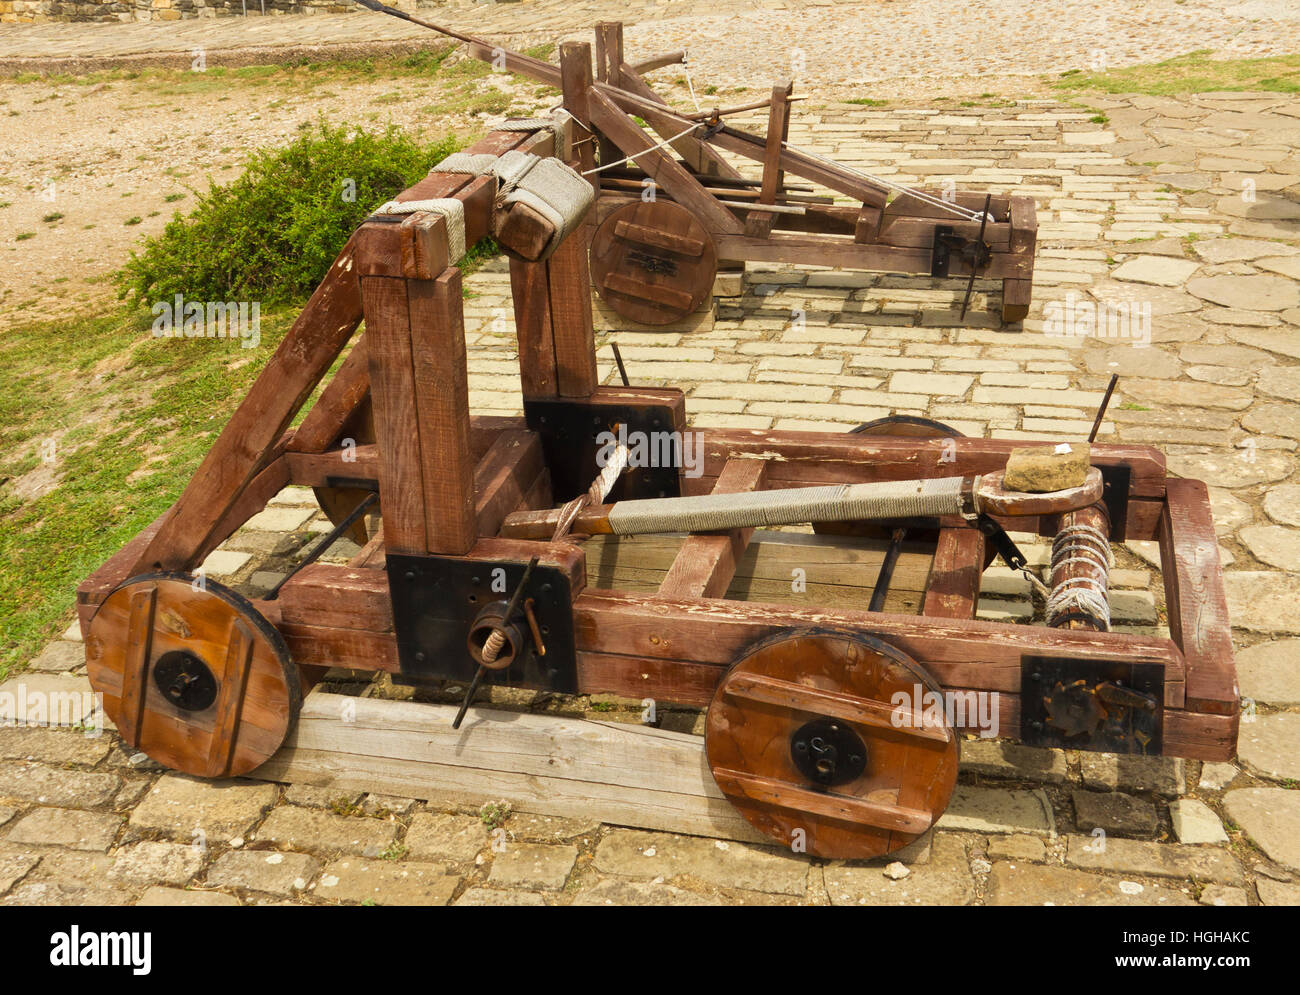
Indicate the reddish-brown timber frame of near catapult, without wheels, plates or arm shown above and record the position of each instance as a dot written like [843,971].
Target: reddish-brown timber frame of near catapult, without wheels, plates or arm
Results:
[448,481]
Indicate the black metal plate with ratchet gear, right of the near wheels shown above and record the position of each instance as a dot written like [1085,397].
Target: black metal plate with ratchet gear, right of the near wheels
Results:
[1104,706]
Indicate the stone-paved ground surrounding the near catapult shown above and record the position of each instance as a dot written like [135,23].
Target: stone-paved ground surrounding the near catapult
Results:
[1186,207]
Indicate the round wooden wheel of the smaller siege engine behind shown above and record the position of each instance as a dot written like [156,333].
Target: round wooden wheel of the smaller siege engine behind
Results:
[653,262]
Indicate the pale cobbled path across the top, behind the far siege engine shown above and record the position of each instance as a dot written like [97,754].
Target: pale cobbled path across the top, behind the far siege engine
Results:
[820,42]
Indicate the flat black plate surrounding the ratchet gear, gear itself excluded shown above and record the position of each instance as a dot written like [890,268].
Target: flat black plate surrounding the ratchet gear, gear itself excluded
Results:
[1126,730]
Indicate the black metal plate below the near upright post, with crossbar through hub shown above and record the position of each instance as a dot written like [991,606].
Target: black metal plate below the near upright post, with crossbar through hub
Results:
[436,599]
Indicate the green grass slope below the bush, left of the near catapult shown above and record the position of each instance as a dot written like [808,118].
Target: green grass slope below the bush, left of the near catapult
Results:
[125,421]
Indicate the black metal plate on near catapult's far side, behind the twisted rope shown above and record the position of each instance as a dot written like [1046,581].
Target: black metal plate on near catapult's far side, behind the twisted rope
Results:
[569,431]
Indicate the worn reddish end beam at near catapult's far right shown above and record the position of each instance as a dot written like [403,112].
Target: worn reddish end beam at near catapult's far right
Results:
[1195,600]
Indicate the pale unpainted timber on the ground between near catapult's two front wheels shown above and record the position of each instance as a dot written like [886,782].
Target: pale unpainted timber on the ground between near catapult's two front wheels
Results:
[614,773]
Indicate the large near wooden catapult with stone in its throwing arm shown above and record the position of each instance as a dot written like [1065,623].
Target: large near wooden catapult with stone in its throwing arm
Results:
[821,720]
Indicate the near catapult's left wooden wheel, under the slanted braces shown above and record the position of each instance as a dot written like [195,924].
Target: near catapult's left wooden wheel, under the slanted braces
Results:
[192,674]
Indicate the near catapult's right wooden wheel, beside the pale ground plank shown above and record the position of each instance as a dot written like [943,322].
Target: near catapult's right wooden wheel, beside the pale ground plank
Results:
[807,738]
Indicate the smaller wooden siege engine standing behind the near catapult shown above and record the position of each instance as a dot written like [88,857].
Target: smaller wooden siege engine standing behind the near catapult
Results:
[708,214]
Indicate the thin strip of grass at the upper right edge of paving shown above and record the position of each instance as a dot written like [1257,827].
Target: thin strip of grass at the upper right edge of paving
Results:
[1193,73]
